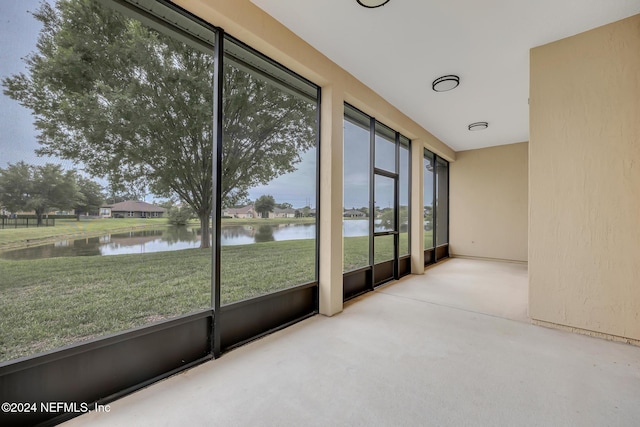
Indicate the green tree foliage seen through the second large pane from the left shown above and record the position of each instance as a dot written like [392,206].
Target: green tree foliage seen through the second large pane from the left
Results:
[265,131]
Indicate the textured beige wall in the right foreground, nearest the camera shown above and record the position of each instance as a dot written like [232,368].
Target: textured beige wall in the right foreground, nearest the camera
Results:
[584,165]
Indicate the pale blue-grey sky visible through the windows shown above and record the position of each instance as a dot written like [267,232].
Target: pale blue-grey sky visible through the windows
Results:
[18,36]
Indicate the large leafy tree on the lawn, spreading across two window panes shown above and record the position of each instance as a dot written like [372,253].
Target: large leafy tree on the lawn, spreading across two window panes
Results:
[135,105]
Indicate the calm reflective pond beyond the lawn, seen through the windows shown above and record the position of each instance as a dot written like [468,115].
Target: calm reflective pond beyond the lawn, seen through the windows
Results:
[175,239]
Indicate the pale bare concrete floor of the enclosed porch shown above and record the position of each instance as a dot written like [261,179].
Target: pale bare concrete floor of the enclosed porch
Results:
[450,347]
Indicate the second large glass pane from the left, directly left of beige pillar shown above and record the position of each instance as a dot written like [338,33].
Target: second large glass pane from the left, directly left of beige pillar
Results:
[269,184]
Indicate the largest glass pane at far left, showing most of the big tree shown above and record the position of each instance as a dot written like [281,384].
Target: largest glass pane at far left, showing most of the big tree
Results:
[124,114]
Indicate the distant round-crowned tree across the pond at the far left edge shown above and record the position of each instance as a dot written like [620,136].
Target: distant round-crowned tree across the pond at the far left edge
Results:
[38,188]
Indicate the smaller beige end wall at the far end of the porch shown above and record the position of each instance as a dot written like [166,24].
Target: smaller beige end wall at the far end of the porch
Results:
[488,196]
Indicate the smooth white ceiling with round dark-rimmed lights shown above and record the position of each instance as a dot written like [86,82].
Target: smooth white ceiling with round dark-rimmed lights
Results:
[400,48]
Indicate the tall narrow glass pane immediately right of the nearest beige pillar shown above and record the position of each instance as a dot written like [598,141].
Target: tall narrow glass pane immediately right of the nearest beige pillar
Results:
[357,167]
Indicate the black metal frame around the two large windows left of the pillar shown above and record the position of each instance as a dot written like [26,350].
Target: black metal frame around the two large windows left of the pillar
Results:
[133,359]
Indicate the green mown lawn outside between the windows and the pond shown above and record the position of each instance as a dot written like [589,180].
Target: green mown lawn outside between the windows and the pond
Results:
[48,303]
